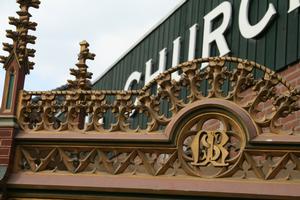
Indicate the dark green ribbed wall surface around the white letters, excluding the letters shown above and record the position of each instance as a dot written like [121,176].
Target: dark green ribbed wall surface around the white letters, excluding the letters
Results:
[277,47]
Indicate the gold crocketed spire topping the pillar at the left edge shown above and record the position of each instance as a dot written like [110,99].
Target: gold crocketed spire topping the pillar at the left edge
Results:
[21,37]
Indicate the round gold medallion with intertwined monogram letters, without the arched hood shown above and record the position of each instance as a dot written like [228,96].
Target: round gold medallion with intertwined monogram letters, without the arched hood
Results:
[210,143]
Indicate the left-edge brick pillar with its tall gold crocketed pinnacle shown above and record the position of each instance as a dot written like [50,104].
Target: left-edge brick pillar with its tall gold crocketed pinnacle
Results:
[16,65]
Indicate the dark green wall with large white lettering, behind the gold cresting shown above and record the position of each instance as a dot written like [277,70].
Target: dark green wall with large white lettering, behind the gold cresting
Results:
[264,31]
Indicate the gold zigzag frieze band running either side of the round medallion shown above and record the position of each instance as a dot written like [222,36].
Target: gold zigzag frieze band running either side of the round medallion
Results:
[252,164]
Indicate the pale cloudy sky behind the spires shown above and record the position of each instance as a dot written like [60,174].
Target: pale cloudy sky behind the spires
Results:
[110,26]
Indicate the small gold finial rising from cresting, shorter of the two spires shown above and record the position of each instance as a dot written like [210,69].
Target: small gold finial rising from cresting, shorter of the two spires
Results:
[81,74]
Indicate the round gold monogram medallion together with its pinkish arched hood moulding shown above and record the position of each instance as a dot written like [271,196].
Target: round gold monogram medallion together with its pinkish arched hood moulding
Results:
[211,136]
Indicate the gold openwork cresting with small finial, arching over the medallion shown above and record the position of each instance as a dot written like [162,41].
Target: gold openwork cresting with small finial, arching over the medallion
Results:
[257,90]
